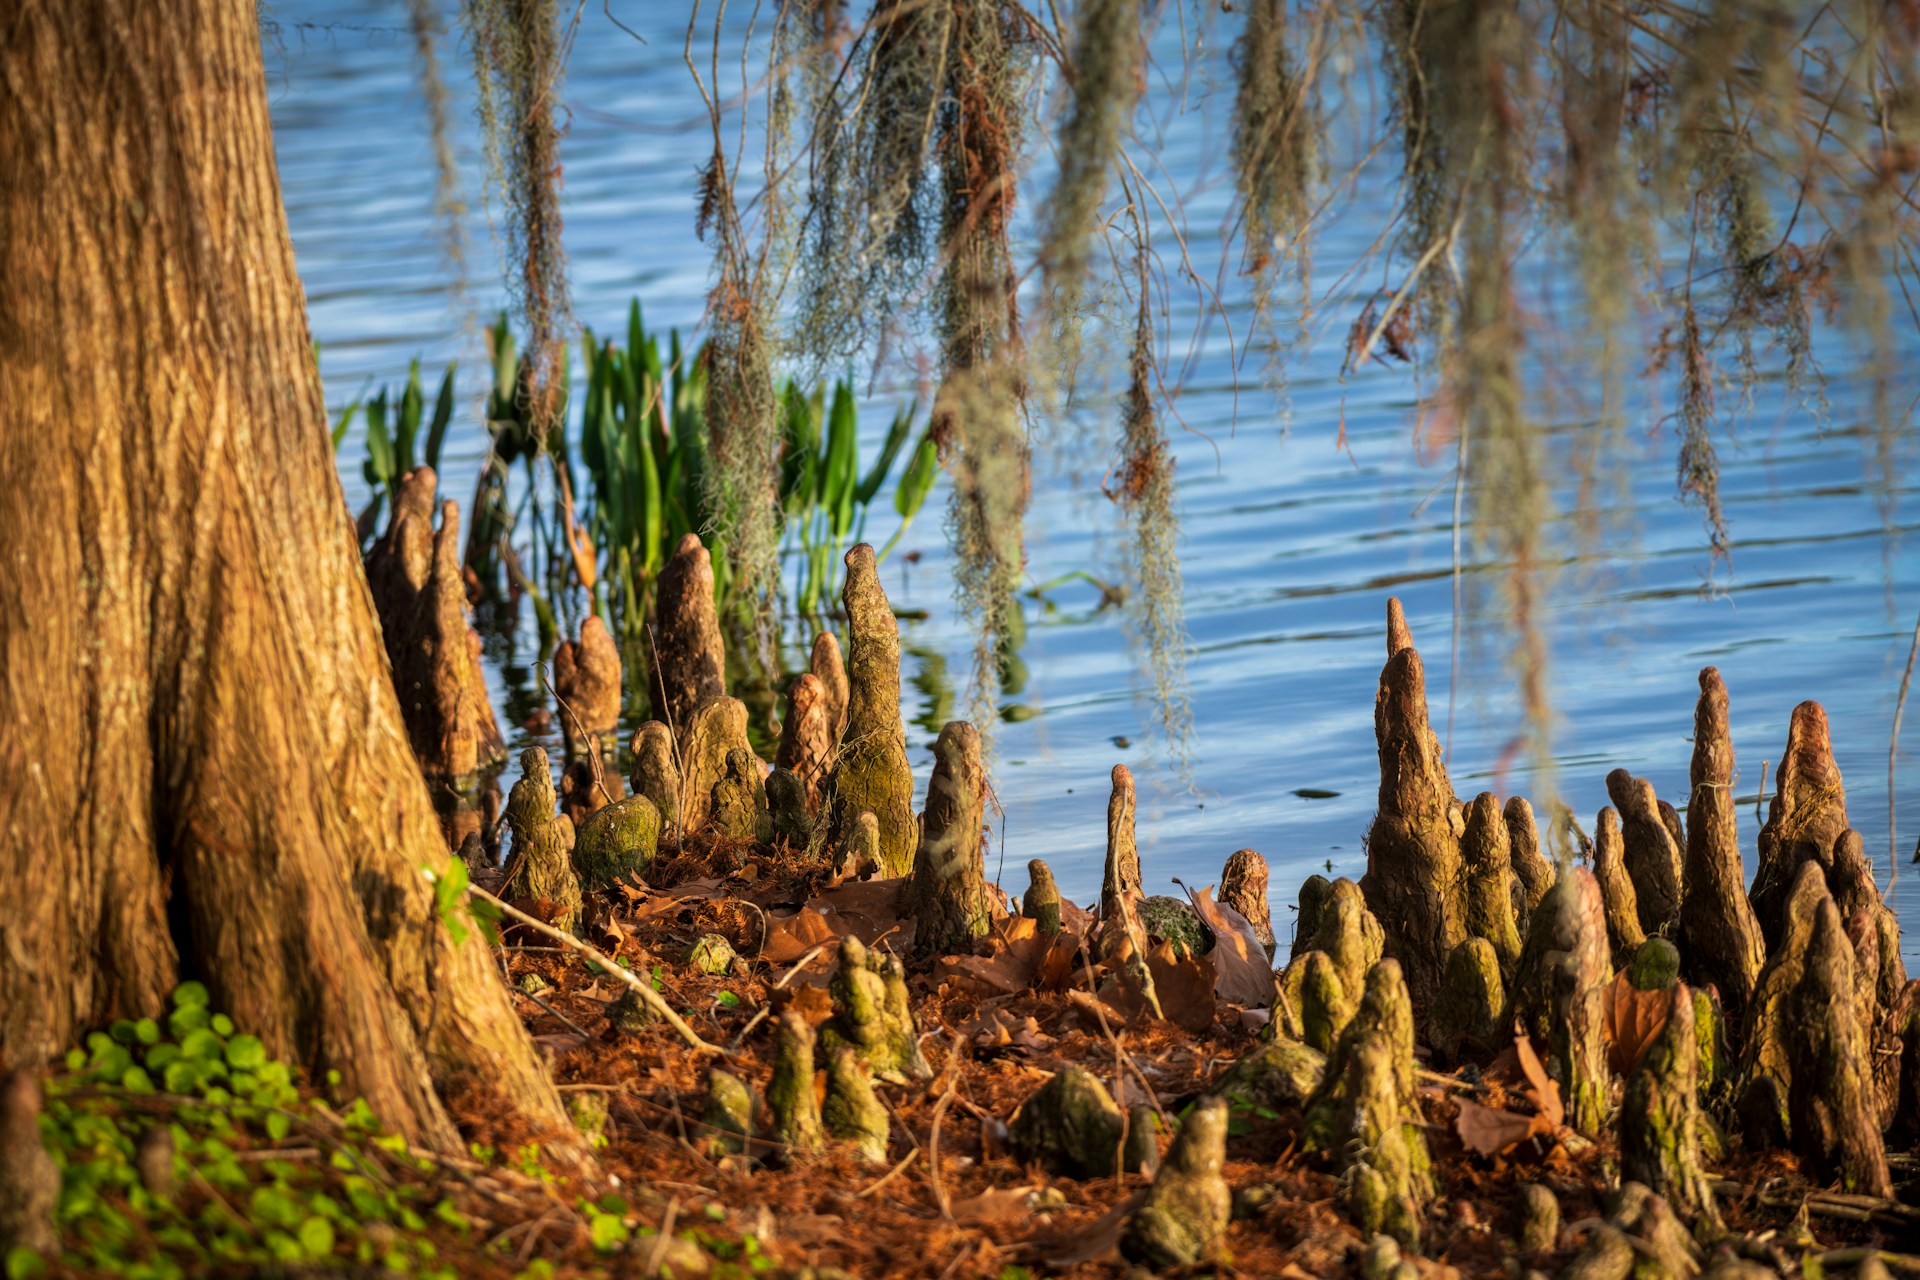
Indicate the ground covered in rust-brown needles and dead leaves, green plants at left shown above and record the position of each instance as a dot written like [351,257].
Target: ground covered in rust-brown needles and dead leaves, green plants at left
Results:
[949,1200]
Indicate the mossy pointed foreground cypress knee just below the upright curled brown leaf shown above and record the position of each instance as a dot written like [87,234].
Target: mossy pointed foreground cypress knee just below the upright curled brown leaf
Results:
[1660,1120]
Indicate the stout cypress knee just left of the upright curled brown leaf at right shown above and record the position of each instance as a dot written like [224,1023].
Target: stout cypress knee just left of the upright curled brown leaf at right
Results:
[1560,995]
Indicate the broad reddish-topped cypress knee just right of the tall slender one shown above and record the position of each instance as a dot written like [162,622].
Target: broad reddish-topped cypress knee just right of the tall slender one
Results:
[1804,820]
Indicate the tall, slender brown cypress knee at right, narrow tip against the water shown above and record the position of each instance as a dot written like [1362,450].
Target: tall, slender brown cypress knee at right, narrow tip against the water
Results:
[1719,930]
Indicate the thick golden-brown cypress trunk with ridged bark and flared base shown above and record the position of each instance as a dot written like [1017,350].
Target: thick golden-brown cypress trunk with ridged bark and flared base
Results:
[203,755]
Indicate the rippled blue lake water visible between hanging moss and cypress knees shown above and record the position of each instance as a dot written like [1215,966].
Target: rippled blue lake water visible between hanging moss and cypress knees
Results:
[1291,542]
